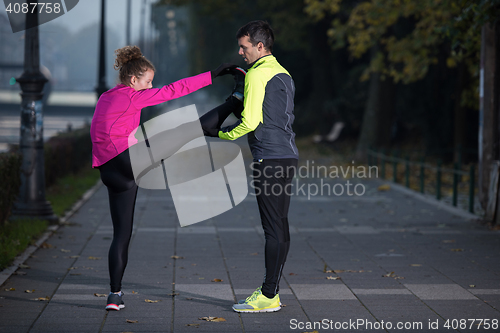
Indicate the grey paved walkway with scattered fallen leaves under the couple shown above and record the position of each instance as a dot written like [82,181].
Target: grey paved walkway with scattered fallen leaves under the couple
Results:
[384,257]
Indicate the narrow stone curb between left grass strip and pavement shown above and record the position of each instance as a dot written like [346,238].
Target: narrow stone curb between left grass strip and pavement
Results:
[7,273]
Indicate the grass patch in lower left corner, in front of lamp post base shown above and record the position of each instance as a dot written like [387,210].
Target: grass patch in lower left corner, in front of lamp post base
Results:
[16,236]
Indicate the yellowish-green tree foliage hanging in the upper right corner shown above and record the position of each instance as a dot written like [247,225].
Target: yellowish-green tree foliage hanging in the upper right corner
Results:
[410,33]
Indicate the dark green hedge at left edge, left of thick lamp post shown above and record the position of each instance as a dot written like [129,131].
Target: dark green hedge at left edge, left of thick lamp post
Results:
[10,181]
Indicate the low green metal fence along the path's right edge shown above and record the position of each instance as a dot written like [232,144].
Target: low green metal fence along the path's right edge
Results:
[376,158]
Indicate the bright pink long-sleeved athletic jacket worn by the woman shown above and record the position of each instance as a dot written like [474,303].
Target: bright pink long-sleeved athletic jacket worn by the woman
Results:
[118,113]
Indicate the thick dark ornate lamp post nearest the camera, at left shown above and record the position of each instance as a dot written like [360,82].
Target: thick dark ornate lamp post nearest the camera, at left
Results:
[31,202]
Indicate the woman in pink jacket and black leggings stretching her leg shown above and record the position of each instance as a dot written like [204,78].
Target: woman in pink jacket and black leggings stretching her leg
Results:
[117,115]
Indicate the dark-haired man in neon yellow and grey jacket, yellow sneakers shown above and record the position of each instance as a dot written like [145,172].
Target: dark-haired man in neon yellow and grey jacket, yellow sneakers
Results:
[267,118]
